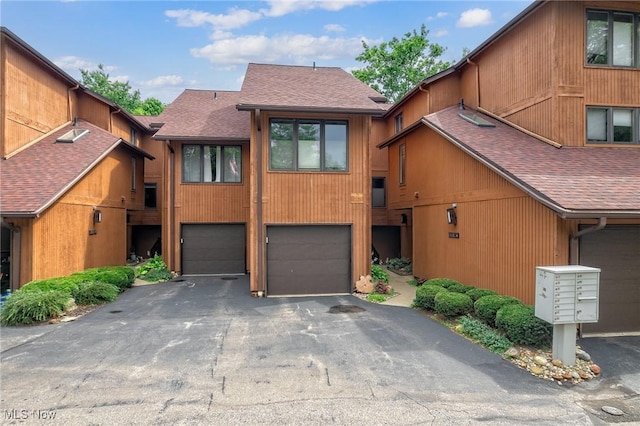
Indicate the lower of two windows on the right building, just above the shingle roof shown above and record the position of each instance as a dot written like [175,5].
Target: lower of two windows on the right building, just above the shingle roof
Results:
[610,125]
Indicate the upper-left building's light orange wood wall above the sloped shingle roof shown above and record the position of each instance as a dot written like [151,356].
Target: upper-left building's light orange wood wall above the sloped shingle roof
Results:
[24,81]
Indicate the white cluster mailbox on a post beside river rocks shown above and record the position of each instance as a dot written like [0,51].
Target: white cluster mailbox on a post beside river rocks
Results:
[565,296]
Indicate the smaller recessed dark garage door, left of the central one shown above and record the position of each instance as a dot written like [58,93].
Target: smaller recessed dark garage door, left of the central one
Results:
[213,249]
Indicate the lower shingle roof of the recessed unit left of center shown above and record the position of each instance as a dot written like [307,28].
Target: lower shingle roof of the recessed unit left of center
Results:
[204,114]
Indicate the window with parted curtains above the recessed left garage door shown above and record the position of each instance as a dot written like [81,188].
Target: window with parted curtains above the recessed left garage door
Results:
[211,164]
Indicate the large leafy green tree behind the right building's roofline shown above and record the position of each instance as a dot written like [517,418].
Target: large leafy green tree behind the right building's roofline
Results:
[395,67]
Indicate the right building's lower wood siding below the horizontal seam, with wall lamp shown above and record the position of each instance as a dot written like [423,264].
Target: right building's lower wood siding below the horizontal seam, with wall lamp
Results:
[501,241]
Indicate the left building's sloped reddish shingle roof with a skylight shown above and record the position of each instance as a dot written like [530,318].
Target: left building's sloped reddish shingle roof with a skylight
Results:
[34,178]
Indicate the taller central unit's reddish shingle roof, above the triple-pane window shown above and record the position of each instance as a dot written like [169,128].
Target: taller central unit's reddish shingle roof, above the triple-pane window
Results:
[297,88]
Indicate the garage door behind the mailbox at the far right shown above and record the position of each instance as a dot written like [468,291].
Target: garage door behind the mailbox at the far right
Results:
[616,251]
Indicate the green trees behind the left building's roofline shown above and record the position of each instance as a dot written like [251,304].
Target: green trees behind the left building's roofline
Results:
[120,93]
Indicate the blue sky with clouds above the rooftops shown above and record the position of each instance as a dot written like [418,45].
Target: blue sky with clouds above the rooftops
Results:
[164,47]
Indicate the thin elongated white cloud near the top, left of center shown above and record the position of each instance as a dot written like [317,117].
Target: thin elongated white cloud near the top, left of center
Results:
[236,18]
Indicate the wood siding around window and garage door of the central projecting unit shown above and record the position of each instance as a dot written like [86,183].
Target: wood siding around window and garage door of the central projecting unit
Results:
[307,198]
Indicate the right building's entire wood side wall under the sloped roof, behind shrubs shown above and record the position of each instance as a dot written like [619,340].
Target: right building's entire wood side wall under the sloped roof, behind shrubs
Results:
[503,232]
